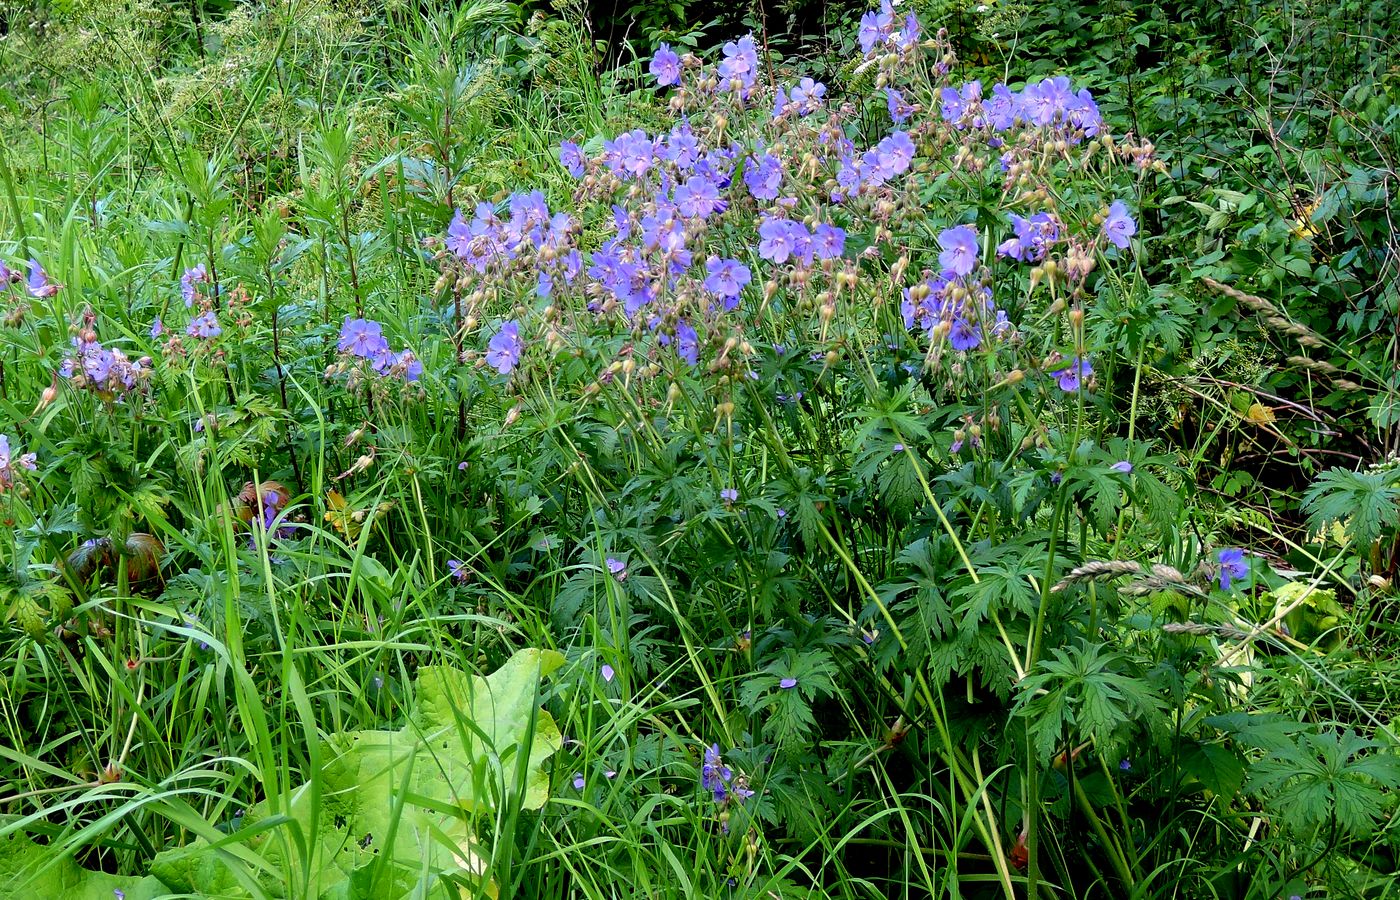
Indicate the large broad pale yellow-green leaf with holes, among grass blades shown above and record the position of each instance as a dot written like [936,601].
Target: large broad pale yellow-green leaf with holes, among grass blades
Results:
[391,814]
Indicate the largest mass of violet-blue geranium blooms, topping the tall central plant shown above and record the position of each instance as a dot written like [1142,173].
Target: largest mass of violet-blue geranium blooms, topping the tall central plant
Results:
[744,216]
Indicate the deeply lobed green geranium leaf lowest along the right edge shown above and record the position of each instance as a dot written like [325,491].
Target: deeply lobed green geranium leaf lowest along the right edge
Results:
[1329,780]
